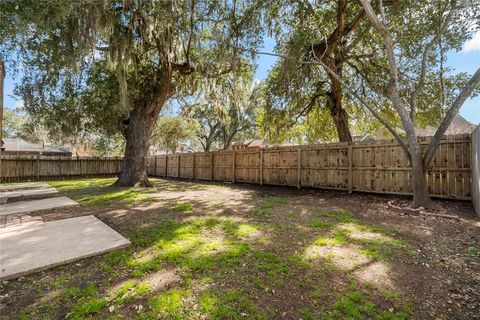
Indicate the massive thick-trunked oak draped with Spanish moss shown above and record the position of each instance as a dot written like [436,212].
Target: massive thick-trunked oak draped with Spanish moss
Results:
[151,49]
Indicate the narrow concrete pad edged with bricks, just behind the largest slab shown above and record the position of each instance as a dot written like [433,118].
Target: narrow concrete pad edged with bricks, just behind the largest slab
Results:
[35,205]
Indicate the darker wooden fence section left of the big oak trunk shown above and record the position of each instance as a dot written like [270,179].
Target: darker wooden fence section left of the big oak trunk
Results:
[24,168]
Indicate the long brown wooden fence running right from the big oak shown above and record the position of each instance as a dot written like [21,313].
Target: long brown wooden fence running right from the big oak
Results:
[379,167]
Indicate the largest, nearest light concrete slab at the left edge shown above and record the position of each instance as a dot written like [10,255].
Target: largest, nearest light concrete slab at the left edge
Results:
[37,247]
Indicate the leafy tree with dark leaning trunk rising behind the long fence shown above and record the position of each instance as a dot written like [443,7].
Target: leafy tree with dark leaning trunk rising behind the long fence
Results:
[327,30]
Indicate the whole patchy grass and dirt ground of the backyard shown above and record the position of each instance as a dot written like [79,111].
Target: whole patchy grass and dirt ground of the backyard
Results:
[219,251]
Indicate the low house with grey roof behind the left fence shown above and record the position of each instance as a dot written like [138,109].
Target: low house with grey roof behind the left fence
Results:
[17,146]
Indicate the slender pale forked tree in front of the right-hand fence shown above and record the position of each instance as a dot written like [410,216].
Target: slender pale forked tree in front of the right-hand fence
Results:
[406,79]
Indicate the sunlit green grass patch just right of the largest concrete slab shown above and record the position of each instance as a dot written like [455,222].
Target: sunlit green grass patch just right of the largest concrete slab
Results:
[196,244]
